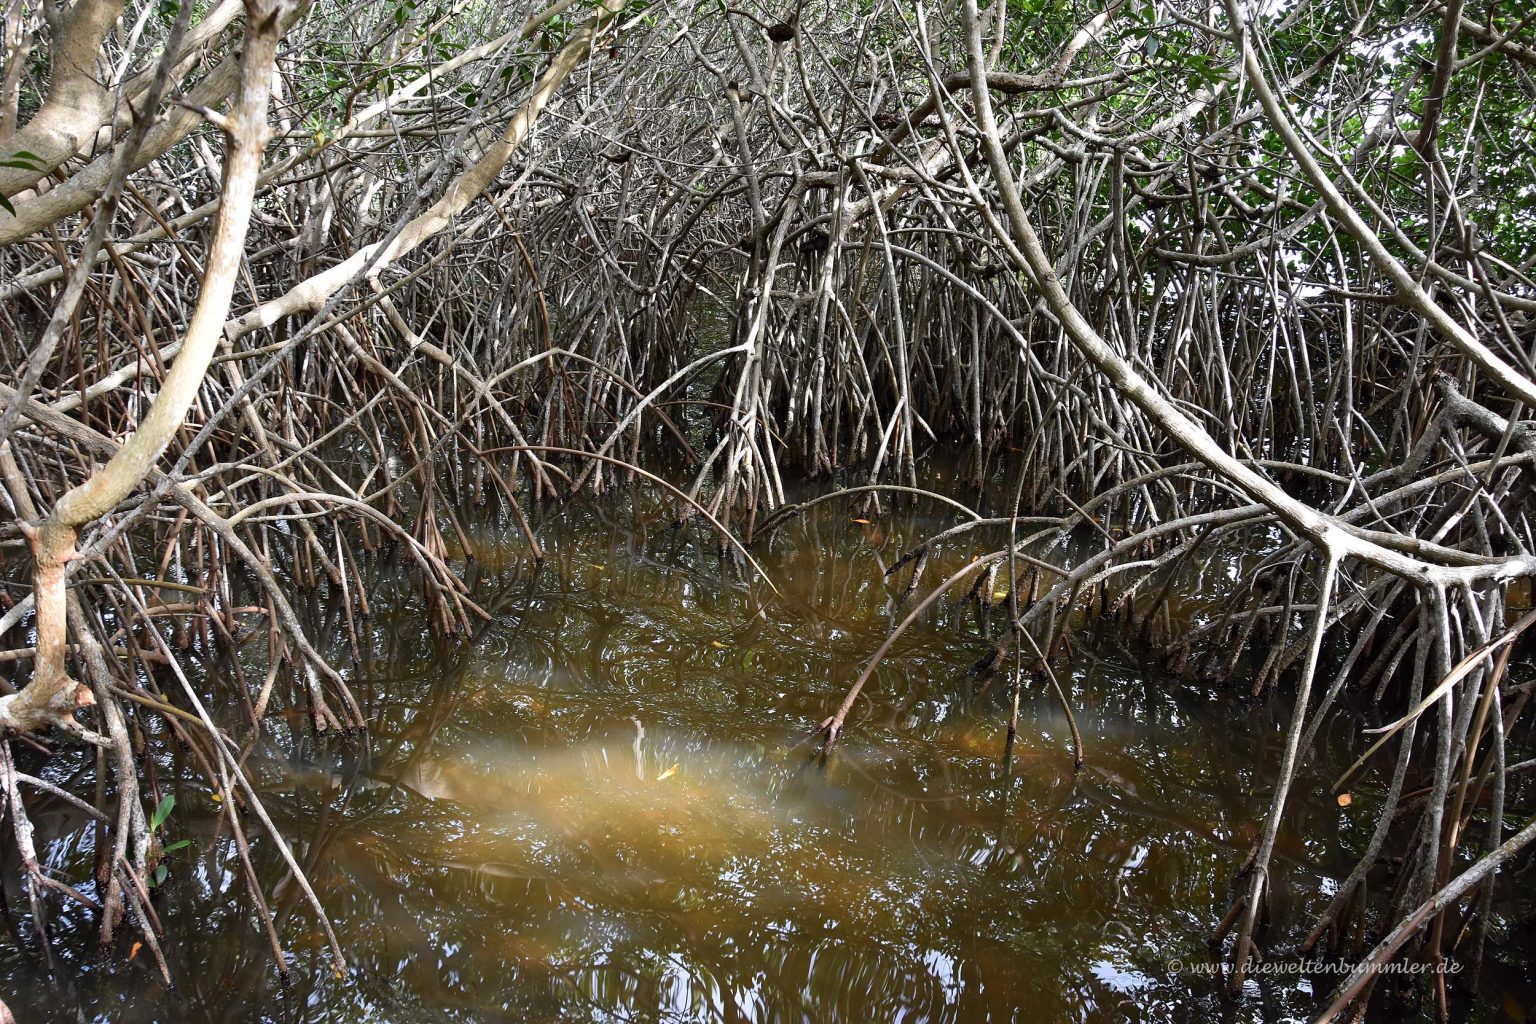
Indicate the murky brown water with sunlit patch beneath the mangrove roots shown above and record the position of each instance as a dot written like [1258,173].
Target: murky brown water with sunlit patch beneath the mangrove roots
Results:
[603,810]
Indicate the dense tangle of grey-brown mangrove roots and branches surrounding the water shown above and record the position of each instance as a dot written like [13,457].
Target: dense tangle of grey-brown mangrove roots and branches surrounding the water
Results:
[1180,280]
